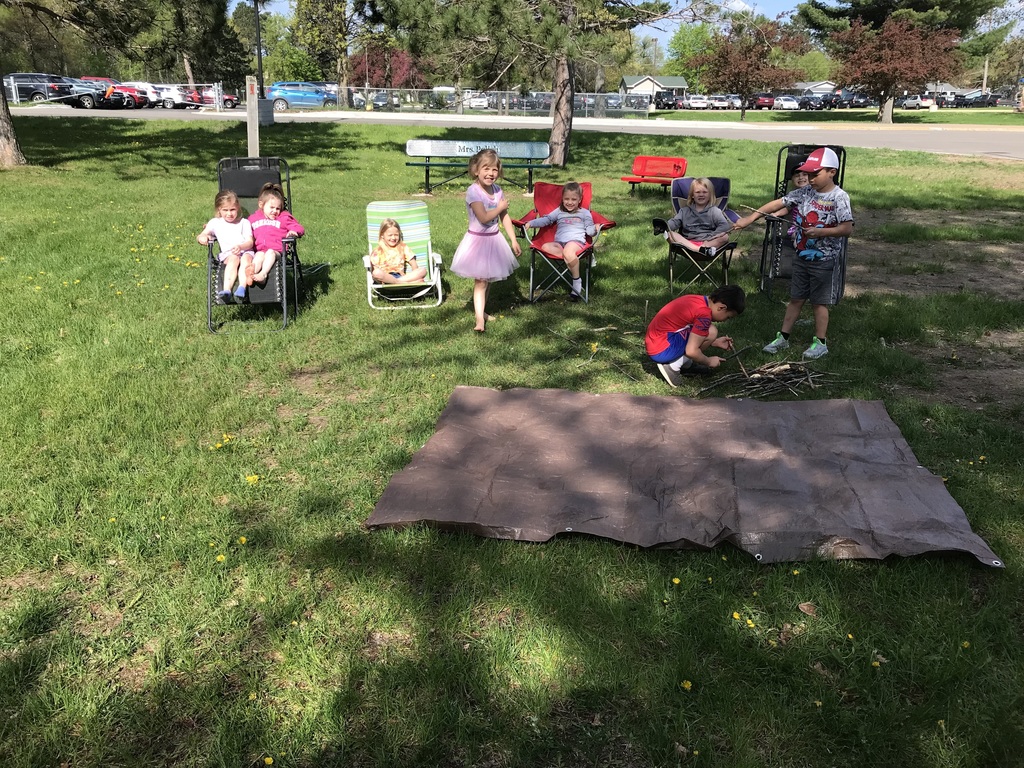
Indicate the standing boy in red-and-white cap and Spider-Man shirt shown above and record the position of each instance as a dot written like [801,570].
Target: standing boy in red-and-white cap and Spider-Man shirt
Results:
[823,217]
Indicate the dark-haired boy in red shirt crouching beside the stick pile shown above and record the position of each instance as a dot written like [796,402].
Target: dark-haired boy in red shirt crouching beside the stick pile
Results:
[684,331]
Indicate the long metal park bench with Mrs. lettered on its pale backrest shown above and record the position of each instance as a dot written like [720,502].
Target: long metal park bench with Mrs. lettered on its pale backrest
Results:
[529,156]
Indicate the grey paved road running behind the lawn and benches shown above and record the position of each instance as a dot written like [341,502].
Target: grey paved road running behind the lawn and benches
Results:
[989,142]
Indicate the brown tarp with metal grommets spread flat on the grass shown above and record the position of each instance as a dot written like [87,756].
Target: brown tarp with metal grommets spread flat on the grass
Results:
[780,481]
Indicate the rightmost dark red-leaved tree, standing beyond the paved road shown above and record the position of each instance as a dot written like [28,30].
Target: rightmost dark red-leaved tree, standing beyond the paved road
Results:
[901,56]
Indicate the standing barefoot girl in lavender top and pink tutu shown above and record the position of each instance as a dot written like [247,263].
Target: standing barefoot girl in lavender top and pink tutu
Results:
[484,254]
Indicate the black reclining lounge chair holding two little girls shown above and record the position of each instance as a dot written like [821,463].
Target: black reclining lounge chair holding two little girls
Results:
[246,177]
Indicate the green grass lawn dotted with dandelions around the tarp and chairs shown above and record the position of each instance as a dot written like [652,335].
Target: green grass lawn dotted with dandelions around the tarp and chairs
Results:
[187,579]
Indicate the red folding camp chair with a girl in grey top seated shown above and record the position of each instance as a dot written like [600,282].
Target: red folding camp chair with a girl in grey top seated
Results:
[546,271]
